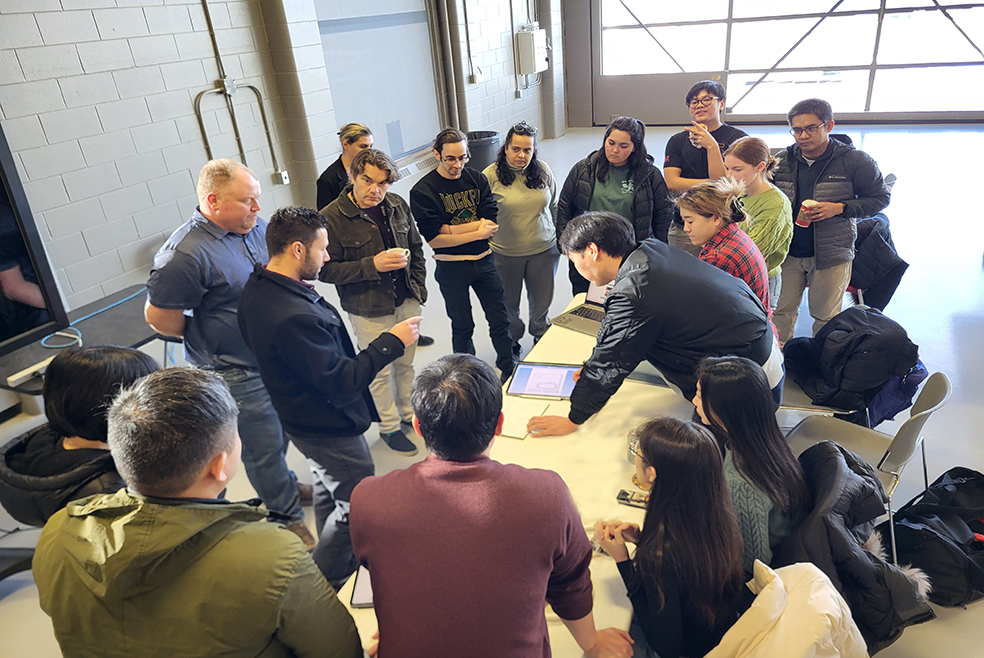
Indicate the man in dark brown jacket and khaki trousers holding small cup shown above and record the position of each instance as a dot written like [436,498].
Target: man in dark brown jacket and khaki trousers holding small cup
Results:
[377,265]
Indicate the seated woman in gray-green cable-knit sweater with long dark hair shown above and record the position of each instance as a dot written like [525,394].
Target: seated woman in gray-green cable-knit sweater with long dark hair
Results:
[764,478]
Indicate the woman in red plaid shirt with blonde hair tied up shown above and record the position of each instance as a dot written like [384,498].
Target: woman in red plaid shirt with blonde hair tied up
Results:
[711,212]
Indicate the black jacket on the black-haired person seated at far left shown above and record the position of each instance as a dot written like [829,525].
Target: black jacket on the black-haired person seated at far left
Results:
[33,499]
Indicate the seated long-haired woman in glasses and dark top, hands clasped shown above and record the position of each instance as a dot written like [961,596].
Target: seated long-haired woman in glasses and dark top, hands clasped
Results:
[685,582]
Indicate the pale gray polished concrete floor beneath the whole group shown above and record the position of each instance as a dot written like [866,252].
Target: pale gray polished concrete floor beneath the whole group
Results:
[940,302]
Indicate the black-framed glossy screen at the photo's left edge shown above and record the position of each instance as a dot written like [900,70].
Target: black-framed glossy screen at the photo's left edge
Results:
[30,306]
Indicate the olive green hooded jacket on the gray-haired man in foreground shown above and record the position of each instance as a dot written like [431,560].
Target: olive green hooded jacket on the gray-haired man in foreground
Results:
[123,575]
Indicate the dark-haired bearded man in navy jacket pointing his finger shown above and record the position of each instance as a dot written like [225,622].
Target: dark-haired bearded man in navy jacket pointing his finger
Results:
[318,384]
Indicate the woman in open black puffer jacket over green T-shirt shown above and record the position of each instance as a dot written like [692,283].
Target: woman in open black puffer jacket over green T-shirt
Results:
[621,178]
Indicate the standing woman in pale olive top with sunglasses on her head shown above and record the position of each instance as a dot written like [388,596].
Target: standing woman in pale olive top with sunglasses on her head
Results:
[525,246]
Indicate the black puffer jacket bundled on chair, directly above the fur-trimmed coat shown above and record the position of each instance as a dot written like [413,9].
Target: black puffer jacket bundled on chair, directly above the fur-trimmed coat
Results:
[850,358]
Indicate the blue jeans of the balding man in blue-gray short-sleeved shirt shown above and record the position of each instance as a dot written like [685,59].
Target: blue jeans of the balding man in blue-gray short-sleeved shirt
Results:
[264,443]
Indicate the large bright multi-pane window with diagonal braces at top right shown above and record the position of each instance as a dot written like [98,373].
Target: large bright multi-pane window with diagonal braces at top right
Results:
[864,56]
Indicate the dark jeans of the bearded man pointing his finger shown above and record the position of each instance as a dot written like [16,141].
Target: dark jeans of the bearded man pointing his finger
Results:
[338,464]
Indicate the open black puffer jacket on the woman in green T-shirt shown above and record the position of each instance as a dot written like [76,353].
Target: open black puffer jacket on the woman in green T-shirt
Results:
[651,207]
